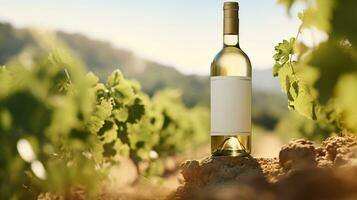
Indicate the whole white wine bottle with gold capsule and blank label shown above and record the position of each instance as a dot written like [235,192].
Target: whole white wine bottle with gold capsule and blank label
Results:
[231,92]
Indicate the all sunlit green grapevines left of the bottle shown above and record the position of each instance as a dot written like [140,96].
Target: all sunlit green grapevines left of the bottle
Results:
[60,127]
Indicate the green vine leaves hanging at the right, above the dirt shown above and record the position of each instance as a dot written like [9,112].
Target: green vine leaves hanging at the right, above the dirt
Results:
[319,80]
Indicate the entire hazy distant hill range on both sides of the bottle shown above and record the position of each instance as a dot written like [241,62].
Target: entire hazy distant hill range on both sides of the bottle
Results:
[102,58]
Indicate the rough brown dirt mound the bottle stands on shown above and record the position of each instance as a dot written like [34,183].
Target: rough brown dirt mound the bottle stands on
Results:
[302,171]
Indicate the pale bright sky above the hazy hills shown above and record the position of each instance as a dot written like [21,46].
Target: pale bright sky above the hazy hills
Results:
[185,34]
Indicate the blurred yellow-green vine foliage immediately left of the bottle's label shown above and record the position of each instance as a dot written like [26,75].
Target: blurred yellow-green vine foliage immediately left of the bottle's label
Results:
[177,127]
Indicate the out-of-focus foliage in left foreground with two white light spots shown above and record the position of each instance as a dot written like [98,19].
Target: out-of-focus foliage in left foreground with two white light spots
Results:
[43,106]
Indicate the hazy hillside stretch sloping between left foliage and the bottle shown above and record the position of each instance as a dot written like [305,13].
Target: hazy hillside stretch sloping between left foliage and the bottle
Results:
[102,58]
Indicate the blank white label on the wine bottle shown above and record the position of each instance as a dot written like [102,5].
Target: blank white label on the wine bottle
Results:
[231,99]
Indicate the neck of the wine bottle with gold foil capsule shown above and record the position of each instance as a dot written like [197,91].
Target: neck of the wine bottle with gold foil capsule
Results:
[231,25]
